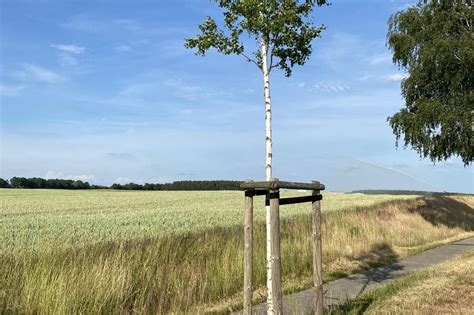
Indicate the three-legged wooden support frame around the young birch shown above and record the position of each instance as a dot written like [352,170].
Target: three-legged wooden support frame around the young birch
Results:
[271,189]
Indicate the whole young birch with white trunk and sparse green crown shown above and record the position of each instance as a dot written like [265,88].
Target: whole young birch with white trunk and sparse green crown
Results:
[283,30]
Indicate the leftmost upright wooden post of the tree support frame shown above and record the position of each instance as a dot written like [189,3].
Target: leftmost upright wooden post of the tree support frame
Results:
[248,231]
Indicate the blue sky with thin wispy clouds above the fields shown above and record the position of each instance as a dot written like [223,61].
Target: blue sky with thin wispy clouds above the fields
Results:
[104,91]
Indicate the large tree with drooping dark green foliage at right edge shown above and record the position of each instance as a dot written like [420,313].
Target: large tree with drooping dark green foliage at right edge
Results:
[434,42]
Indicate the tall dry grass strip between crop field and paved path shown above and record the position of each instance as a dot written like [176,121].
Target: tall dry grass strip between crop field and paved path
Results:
[202,271]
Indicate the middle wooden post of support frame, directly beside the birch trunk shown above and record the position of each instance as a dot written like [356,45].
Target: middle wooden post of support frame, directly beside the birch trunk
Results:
[275,253]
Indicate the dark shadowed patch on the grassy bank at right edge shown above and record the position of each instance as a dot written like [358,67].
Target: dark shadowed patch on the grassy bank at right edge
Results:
[443,210]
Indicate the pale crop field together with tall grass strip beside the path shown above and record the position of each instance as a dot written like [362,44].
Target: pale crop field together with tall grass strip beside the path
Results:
[130,251]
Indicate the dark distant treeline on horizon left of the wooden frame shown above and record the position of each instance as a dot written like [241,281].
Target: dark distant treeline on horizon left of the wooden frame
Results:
[41,183]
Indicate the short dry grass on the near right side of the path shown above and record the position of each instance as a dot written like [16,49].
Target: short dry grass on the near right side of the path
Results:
[444,289]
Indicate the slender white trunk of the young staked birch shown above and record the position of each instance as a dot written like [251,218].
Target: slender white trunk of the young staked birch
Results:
[268,163]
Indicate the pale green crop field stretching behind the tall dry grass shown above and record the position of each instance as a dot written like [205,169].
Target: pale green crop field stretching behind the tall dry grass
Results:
[44,219]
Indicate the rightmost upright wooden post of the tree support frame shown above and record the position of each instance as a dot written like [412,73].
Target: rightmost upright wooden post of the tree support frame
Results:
[317,256]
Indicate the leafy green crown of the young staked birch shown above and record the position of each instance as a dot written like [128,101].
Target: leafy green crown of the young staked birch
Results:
[284,24]
